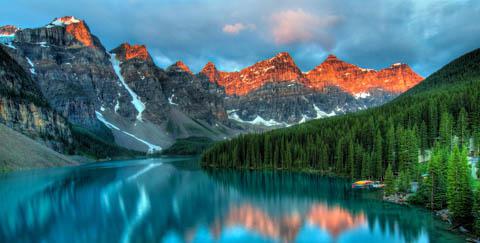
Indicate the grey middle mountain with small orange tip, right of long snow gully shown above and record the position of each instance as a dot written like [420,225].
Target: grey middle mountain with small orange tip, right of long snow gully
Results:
[175,102]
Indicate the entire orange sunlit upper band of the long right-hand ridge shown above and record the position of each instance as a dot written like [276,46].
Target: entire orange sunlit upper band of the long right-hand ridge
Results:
[332,72]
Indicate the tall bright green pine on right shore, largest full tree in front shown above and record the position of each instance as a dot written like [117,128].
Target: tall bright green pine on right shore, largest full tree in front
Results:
[459,190]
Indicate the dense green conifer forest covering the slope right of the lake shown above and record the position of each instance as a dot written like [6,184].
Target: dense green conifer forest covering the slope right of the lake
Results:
[424,135]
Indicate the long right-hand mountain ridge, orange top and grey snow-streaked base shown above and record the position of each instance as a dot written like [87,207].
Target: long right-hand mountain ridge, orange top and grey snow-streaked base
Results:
[275,92]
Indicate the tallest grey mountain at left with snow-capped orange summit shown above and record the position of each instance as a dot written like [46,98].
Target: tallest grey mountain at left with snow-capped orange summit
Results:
[72,70]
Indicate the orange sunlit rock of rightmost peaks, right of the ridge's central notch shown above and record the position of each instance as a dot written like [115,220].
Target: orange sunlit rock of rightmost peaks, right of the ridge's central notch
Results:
[397,78]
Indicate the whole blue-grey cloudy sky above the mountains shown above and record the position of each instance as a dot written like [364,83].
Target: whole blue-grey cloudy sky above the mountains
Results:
[236,33]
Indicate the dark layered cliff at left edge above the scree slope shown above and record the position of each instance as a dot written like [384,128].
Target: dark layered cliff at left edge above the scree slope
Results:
[24,109]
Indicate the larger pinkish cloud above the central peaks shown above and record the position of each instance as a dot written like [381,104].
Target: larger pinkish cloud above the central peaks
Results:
[298,26]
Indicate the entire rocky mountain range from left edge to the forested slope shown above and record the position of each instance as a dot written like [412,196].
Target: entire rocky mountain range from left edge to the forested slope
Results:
[65,90]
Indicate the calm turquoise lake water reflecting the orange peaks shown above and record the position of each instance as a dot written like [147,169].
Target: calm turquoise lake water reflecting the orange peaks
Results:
[169,200]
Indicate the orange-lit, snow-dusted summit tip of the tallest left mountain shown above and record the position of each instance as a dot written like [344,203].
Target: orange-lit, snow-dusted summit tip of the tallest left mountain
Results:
[76,27]
